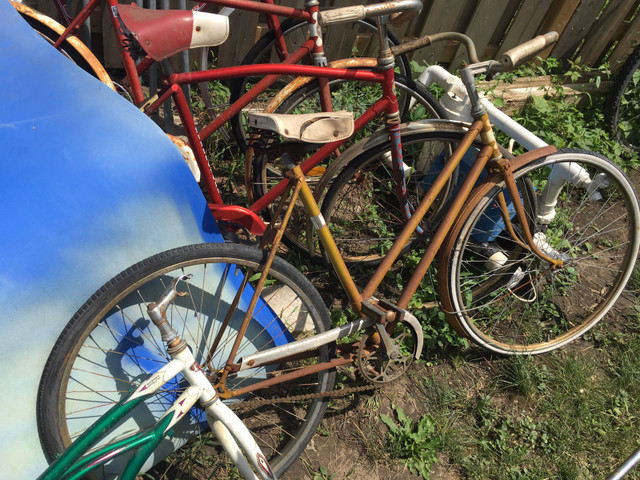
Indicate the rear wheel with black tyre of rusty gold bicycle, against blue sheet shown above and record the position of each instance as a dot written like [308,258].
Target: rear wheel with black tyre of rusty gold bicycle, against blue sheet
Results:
[110,345]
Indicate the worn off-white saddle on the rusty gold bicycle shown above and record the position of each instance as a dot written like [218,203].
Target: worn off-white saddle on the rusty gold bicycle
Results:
[307,127]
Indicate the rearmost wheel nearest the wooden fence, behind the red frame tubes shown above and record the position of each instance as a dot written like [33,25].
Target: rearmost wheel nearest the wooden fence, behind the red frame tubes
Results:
[339,41]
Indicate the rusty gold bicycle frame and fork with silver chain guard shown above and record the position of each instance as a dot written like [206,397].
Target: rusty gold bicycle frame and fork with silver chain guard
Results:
[371,312]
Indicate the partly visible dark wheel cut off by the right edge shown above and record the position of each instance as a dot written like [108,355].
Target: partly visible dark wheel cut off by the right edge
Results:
[623,107]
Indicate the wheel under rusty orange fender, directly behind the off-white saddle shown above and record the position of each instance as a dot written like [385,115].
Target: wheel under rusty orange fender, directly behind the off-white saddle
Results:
[352,96]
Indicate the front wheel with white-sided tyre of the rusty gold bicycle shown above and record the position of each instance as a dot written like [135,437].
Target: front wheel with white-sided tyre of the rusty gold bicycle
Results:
[534,308]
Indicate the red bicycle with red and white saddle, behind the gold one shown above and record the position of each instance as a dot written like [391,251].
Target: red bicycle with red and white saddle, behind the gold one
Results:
[406,89]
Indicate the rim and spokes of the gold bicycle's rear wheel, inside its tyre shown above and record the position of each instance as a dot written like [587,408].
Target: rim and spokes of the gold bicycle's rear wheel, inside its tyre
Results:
[109,361]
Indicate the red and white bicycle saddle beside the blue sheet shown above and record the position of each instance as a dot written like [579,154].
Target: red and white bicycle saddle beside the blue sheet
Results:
[162,33]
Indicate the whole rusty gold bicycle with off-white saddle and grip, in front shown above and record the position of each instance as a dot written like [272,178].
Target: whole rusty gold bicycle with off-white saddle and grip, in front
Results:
[530,258]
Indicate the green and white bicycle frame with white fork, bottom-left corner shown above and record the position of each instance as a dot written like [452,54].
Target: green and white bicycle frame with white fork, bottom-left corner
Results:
[79,459]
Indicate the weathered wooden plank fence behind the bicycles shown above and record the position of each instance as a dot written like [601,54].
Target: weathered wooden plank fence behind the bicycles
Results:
[590,30]
